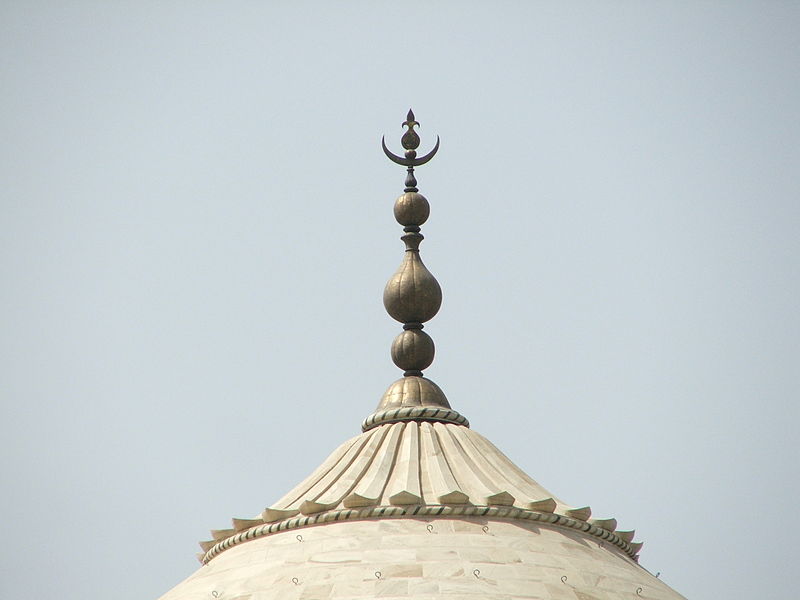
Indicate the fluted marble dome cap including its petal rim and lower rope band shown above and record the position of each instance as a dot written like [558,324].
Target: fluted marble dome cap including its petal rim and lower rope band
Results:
[416,469]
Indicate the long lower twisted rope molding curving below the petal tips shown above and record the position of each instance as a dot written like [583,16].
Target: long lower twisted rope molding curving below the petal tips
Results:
[377,512]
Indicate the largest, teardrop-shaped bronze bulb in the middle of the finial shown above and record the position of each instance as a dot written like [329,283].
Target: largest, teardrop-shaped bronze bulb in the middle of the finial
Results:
[412,295]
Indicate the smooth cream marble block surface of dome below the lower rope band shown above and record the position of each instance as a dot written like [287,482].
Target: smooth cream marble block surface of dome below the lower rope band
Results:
[432,558]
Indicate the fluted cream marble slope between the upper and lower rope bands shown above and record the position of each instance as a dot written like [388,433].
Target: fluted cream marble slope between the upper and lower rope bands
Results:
[413,462]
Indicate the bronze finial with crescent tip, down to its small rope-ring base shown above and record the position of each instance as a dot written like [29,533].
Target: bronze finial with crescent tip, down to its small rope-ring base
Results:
[412,296]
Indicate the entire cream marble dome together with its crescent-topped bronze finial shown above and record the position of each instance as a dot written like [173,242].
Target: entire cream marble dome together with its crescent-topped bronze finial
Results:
[419,505]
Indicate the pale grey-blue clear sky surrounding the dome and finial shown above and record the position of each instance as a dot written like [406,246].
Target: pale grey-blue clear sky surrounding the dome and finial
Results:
[196,227]
